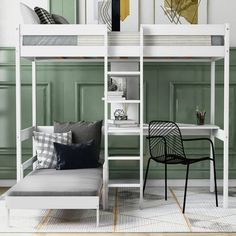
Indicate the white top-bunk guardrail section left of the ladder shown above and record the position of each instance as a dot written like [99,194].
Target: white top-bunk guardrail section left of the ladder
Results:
[70,50]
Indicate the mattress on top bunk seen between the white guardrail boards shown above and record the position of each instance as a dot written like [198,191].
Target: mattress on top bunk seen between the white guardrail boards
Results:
[123,39]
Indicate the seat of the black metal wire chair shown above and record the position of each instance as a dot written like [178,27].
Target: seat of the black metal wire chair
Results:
[175,159]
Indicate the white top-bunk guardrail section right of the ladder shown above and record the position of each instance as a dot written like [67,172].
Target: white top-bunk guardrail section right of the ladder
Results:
[207,49]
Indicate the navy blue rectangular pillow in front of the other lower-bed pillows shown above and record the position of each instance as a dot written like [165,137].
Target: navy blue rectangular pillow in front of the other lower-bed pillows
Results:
[76,156]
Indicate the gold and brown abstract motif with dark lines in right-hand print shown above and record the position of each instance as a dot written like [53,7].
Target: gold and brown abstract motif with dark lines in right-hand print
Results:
[175,9]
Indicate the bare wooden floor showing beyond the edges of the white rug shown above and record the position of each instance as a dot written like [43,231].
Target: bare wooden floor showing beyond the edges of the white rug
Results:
[2,190]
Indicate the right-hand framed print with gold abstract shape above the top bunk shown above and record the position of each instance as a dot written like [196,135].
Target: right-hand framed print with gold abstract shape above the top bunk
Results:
[180,11]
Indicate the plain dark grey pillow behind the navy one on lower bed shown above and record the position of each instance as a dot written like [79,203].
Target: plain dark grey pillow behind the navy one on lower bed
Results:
[82,132]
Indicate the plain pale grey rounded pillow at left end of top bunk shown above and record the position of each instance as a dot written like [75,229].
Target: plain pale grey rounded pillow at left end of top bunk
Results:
[28,15]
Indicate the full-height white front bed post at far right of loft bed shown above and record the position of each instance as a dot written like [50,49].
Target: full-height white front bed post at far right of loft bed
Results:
[226,118]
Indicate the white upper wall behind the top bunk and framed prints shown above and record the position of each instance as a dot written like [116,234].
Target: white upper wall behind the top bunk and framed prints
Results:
[219,11]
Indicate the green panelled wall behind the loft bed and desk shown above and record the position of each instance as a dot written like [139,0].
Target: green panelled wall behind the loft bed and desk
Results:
[73,91]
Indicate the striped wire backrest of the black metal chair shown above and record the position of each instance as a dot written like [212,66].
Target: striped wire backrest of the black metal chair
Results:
[165,139]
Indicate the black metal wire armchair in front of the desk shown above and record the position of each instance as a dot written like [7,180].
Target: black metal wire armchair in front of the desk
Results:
[166,146]
